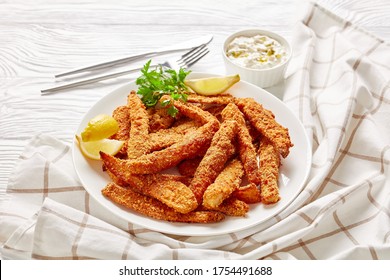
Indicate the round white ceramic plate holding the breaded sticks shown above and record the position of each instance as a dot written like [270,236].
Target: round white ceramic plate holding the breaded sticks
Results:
[294,170]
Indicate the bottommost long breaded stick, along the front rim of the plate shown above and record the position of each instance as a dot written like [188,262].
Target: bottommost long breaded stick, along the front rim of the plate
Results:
[153,208]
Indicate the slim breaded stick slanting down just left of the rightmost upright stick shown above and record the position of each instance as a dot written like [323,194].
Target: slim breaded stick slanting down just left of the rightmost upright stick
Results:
[246,149]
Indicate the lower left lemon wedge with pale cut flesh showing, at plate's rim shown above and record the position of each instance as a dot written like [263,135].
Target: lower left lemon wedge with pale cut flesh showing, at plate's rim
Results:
[91,149]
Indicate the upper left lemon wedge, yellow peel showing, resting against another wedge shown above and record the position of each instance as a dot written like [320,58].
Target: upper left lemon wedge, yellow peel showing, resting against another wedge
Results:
[100,127]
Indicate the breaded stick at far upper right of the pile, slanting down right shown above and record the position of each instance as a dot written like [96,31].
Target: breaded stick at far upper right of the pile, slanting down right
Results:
[264,121]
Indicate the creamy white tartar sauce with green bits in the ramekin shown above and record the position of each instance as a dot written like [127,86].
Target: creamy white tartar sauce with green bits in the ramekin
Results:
[257,52]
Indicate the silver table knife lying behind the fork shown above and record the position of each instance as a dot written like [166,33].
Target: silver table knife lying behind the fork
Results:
[174,48]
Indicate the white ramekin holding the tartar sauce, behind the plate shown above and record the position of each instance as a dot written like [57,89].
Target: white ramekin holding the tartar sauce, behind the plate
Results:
[260,77]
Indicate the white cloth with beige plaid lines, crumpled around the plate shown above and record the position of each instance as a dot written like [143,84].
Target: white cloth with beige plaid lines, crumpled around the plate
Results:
[338,85]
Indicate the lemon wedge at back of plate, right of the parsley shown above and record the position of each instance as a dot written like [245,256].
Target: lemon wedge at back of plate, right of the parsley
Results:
[212,85]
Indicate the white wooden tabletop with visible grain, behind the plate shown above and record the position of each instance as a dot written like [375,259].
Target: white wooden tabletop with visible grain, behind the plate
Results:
[46,37]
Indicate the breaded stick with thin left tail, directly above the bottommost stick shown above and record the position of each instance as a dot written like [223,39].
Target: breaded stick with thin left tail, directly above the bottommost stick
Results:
[171,192]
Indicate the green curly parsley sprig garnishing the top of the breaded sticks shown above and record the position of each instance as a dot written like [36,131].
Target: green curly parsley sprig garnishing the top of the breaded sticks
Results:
[154,83]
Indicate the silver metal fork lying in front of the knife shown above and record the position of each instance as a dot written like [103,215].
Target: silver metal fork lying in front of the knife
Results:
[185,61]
